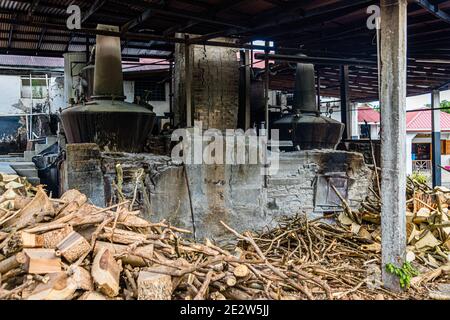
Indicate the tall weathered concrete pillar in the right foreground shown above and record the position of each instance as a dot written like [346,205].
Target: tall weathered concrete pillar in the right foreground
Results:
[393,149]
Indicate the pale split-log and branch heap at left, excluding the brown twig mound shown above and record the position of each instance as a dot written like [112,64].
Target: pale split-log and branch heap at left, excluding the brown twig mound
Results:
[70,249]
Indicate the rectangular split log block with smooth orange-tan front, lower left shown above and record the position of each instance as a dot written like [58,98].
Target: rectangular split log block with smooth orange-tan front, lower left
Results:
[42,261]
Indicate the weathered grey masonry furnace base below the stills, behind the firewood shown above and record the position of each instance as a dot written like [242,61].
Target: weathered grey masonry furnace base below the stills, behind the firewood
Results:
[198,197]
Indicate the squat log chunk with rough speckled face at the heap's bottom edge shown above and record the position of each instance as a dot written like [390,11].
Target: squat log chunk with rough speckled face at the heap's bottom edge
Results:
[153,286]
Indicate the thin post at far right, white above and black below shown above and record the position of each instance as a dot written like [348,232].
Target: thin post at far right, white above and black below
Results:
[436,138]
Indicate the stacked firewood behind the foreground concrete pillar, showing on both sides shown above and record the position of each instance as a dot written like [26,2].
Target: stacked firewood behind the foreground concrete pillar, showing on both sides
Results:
[427,216]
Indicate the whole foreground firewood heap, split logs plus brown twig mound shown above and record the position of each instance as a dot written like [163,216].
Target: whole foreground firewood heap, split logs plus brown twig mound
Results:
[67,248]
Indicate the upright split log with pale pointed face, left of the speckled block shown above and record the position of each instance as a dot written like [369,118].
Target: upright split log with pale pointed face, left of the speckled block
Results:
[106,273]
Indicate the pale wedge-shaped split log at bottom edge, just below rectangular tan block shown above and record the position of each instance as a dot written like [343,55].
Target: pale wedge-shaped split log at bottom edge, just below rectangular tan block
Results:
[59,287]
